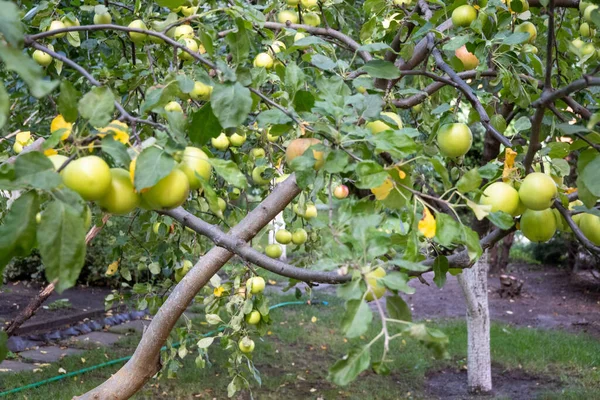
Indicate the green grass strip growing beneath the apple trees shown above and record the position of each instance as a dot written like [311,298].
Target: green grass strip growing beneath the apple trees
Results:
[294,359]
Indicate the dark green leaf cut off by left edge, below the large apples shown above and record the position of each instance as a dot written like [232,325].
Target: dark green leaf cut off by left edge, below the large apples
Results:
[17,233]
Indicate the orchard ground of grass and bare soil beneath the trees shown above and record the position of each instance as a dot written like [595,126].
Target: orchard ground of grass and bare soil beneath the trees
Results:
[545,345]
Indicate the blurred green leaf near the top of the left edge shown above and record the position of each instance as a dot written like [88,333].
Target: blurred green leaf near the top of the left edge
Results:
[33,75]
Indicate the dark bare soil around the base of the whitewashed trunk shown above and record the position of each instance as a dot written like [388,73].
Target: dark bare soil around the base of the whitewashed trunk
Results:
[451,384]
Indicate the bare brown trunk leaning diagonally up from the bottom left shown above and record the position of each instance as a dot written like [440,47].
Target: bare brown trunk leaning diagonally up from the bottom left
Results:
[145,362]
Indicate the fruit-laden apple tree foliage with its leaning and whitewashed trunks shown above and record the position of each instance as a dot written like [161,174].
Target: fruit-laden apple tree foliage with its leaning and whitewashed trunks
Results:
[394,138]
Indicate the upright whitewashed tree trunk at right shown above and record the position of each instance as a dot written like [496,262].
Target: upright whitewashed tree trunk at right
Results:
[473,282]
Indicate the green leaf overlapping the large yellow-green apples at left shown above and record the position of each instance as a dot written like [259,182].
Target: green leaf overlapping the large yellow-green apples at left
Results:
[151,166]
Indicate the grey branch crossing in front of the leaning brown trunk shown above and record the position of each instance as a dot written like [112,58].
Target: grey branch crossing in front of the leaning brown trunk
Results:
[245,251]
